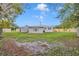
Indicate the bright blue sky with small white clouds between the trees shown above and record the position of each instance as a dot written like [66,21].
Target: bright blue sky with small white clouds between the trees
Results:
[36,14]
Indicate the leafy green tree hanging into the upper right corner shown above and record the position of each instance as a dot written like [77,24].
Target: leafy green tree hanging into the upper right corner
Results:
[69,15]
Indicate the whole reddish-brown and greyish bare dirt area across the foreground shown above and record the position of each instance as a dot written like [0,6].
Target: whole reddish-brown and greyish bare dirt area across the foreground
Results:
[28,48]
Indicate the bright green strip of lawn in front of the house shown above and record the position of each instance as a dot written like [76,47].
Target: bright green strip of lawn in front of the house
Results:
[50,37]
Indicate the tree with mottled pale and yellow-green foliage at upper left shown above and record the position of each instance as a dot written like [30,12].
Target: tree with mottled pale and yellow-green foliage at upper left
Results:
[8,11]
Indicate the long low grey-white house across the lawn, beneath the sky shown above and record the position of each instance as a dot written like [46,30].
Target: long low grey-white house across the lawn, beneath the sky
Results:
[36,29]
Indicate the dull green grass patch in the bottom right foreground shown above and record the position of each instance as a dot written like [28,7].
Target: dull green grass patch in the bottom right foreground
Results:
[62,51]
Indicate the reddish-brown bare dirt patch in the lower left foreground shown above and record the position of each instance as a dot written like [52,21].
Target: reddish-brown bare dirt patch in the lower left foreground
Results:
[10,46]
